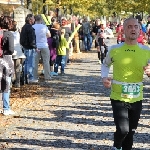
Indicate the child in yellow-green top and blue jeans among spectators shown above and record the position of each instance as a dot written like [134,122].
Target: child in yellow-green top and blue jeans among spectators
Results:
[61,53]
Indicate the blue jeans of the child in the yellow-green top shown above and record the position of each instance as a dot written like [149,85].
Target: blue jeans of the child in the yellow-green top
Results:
[60,60]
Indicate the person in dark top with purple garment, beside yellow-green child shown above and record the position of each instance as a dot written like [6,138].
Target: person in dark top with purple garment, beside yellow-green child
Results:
[53,43]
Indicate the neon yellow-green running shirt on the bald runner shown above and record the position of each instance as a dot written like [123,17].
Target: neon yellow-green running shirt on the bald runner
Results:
[128,62]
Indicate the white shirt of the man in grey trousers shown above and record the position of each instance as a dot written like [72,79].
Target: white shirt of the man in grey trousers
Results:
[41,38]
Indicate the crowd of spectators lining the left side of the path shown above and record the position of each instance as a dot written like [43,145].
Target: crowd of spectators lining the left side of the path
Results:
[23,48]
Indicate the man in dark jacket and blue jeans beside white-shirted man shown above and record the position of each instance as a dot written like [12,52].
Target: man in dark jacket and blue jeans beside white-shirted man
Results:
[28,42]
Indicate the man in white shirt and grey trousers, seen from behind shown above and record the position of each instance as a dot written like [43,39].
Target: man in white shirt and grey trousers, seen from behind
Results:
[42,33]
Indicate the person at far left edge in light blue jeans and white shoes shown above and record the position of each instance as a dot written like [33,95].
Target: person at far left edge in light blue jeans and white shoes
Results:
[7,66]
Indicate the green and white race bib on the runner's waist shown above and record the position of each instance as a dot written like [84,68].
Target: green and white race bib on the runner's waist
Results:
[130,90]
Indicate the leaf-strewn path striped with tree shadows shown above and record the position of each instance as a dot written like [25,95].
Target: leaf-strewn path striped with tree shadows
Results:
[72,112]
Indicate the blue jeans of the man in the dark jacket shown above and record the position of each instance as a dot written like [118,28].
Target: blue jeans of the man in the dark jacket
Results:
[29,62]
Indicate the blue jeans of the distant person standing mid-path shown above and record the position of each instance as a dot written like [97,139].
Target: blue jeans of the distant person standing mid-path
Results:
[87,41]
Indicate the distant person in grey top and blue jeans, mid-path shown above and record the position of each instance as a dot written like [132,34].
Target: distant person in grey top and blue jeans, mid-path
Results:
[86,27]
